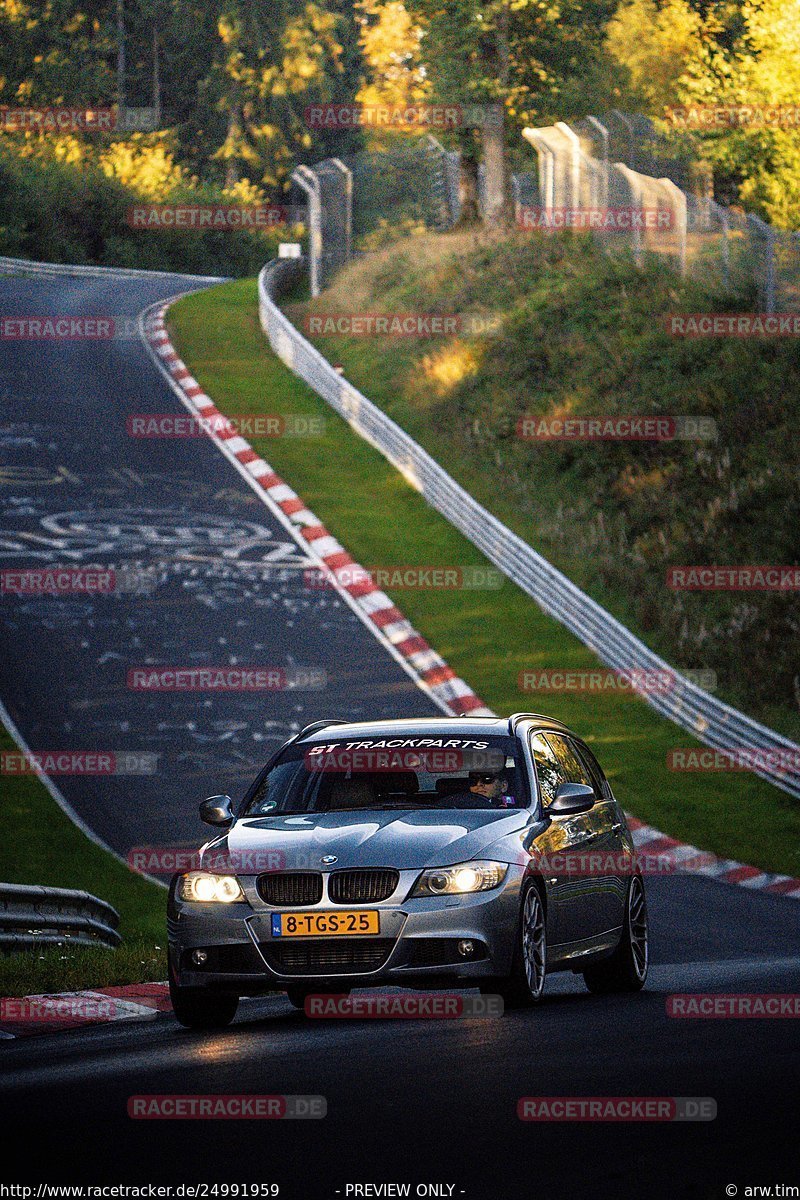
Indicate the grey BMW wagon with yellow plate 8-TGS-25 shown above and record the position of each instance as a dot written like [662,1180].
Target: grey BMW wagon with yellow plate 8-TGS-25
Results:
[462,853]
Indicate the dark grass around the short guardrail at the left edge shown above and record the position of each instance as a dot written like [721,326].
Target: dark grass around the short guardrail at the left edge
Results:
[44,847]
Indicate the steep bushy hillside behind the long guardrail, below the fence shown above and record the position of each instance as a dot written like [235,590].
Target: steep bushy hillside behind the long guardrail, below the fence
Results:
[585,335]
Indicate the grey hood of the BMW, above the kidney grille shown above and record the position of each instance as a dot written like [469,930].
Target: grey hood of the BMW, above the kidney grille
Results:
[405,841]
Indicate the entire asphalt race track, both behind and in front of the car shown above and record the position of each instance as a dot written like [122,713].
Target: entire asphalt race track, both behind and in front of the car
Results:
[408,1102]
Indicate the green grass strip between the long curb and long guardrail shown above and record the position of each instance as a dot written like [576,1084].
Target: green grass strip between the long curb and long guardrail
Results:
[489,638]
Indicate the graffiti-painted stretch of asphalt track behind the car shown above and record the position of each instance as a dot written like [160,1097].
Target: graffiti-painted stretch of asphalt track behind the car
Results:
[226,578]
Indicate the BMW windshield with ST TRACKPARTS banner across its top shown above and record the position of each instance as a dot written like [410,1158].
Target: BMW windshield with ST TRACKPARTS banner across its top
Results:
[414,772]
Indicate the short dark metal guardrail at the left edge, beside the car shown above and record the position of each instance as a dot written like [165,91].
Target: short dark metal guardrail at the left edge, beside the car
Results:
[35,916]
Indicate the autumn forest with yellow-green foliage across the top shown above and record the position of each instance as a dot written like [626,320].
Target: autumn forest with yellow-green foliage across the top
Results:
[230,82]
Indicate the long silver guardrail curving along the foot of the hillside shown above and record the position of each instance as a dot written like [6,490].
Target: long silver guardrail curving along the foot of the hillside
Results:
[709,719]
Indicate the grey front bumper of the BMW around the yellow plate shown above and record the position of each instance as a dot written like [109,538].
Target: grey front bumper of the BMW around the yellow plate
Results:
[418,944]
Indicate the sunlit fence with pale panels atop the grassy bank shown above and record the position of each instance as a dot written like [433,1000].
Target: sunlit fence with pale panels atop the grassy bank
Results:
[637,190]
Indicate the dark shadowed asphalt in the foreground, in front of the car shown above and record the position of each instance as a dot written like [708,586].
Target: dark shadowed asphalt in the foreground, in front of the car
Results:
[436,1101]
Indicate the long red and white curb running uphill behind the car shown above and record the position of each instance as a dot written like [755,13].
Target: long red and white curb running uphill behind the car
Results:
[382,614]
